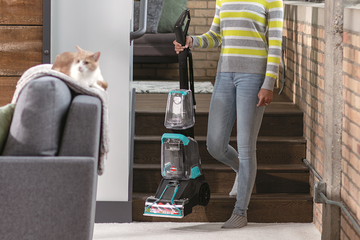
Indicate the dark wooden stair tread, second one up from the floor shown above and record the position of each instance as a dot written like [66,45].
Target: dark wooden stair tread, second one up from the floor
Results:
[260,167]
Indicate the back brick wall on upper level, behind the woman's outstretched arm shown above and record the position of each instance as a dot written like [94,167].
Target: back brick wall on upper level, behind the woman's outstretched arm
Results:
[205,61]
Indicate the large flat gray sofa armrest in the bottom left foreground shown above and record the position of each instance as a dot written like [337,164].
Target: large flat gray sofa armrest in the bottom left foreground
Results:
[47,197]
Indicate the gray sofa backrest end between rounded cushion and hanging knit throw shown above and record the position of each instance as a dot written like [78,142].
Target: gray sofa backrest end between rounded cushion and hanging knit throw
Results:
[81,136]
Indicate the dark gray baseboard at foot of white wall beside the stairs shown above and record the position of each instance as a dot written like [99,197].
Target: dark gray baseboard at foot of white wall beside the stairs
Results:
[113,212]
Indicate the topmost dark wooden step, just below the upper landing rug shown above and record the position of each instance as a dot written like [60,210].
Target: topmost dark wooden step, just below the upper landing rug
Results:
[280,118]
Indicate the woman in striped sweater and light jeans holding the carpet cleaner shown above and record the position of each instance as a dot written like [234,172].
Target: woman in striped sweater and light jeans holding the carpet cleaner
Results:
[250,35]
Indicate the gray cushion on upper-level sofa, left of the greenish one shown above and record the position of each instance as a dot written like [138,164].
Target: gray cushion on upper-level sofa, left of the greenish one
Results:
[153,15]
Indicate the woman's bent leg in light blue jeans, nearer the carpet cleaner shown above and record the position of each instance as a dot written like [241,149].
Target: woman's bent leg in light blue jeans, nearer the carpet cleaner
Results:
[222,116]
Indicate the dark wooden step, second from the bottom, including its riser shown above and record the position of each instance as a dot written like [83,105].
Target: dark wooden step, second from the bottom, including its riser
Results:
[291,178]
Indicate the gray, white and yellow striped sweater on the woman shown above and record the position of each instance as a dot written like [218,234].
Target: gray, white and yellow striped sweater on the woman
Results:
[250,35]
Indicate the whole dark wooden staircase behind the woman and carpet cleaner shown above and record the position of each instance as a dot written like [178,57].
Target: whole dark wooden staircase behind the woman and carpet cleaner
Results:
[281,191]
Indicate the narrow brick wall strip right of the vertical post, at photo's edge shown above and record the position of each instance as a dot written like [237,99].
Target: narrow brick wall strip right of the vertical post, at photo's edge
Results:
[350,190]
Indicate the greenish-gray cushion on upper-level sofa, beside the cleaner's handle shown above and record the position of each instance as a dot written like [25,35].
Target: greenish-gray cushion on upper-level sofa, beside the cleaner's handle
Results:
[171,12]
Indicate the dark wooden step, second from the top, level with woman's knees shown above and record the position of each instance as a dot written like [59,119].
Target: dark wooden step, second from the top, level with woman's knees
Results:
[270,150]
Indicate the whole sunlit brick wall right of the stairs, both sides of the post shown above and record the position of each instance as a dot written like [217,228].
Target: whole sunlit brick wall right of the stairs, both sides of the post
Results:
[304,70]
